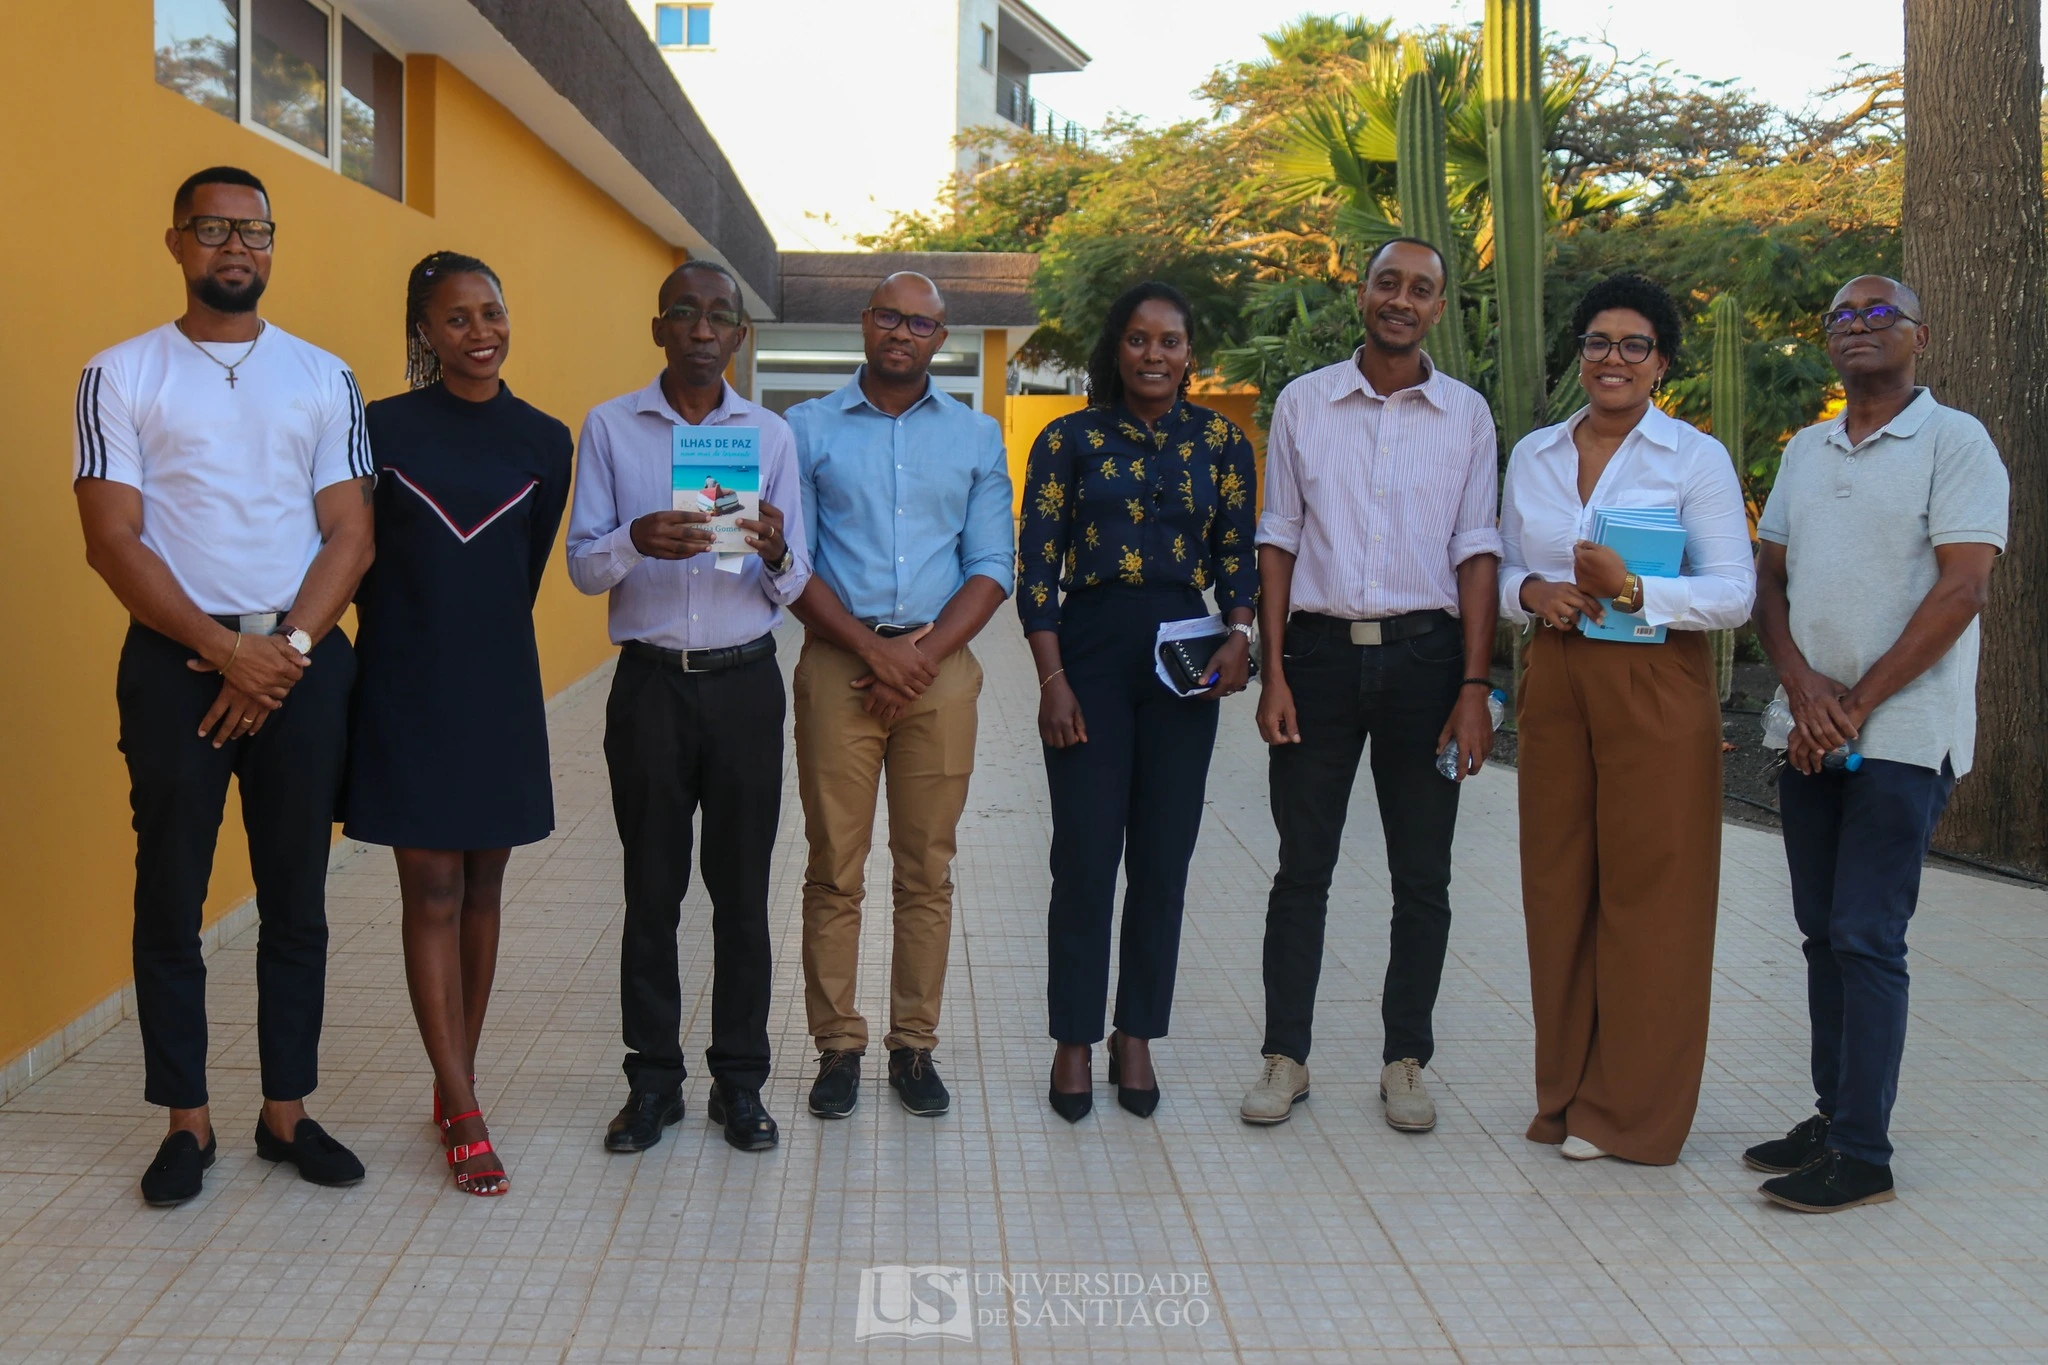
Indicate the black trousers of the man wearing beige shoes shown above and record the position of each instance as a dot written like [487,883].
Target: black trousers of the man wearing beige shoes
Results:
[1345,695]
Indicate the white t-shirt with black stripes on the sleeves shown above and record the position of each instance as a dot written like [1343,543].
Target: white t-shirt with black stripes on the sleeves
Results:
[226,472]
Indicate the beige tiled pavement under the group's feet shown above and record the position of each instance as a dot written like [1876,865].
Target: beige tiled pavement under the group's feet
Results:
[1328,1239]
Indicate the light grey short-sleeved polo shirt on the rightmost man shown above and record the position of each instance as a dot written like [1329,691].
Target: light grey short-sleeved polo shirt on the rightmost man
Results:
[1861,527]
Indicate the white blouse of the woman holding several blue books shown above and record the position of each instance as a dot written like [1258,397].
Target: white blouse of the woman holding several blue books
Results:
[1664,464]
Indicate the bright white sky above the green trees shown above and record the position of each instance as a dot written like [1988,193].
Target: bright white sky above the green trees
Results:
[1150,58]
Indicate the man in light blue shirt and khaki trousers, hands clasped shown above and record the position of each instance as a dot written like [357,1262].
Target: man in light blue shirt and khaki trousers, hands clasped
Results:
[906,504]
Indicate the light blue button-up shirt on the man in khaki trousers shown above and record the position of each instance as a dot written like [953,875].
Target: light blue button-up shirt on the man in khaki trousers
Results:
[902,511]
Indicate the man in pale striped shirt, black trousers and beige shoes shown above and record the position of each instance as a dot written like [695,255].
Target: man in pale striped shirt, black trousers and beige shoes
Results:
[1379,556]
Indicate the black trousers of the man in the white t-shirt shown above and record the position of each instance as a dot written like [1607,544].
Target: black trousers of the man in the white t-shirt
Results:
[290,775]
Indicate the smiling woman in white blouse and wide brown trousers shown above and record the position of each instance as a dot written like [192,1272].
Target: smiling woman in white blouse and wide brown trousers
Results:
[1621,740]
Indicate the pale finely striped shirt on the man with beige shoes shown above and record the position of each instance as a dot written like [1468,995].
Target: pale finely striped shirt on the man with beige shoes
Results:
[1379,496]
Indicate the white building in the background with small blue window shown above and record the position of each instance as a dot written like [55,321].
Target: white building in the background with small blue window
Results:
[839,114]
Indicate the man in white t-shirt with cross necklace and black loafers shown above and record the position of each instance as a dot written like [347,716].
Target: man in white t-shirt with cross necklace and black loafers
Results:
[224,484]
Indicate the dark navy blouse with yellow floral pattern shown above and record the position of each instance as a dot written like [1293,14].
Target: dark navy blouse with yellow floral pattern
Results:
[1113,502]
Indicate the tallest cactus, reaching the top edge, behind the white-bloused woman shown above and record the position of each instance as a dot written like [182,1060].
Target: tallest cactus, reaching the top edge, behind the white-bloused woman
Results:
[1512,75]
